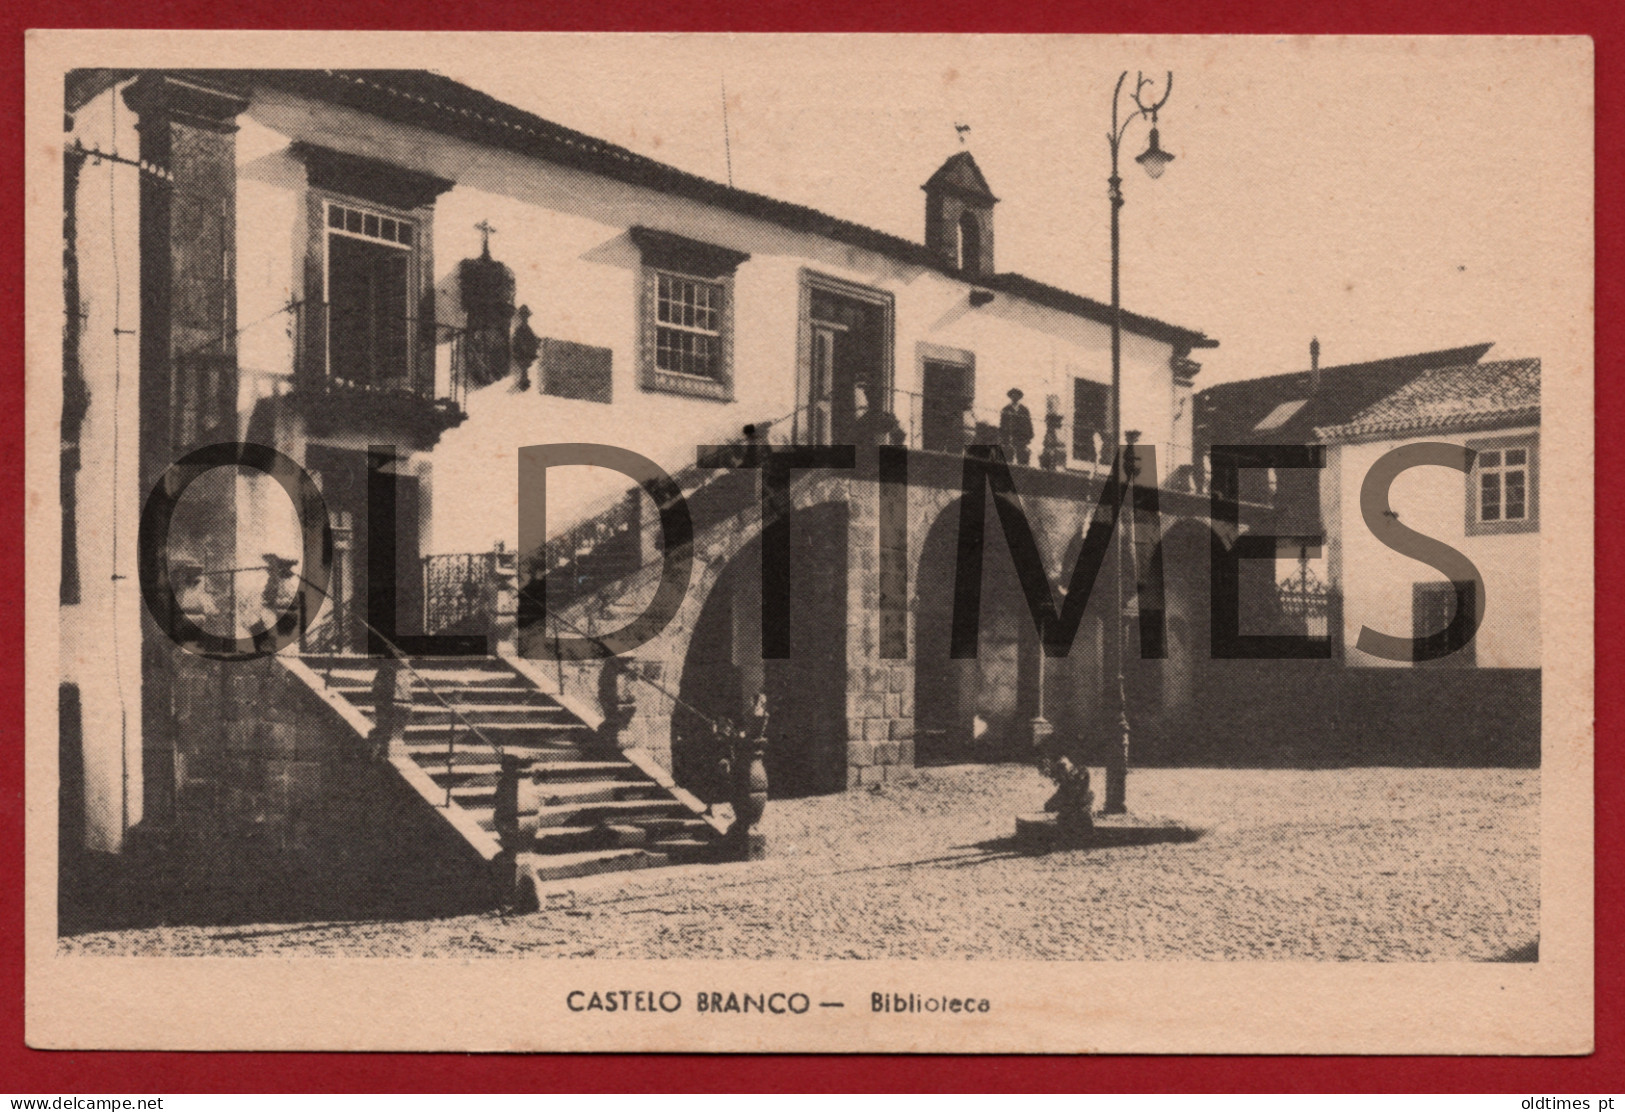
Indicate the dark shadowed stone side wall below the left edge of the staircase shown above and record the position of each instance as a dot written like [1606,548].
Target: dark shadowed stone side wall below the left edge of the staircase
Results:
[282,810]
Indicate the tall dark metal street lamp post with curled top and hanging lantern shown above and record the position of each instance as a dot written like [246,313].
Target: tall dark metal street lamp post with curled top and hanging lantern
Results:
[1155,160]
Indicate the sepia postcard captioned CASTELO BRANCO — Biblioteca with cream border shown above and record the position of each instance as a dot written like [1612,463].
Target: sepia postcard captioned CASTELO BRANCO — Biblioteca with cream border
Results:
[701,542]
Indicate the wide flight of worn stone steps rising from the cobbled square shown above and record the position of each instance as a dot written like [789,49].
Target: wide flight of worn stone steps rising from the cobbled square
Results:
[576,802]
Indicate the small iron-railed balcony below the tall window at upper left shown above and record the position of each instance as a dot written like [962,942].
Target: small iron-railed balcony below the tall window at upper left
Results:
[379,378]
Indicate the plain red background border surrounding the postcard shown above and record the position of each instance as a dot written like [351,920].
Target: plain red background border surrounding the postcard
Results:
[25,1071]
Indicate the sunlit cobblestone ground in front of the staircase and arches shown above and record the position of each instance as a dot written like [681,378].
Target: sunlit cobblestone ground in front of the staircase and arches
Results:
[1348,864]
